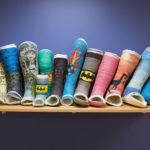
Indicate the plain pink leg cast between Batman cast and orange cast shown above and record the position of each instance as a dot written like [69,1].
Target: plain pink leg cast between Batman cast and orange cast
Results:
[104,76]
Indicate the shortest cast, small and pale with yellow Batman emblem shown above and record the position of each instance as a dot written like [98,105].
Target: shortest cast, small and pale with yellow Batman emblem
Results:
[41,90]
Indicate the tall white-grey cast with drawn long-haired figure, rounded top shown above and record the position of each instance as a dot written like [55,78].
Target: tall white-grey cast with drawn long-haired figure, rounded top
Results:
[28,54]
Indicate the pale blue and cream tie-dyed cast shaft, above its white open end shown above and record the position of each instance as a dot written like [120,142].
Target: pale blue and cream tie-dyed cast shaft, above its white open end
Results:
[141,74]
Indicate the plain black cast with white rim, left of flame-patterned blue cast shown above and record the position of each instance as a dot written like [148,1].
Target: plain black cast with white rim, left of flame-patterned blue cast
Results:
[60,70]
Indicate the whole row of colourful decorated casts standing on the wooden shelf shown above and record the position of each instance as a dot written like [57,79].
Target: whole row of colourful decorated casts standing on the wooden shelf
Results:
[88,77]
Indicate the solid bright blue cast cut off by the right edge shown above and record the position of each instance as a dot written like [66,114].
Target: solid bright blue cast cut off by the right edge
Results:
[146,91]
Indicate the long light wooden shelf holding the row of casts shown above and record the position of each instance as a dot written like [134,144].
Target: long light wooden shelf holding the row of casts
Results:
[74,109]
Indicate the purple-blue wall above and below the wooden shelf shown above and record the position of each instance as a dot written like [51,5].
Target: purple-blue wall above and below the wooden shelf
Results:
[110,25]
